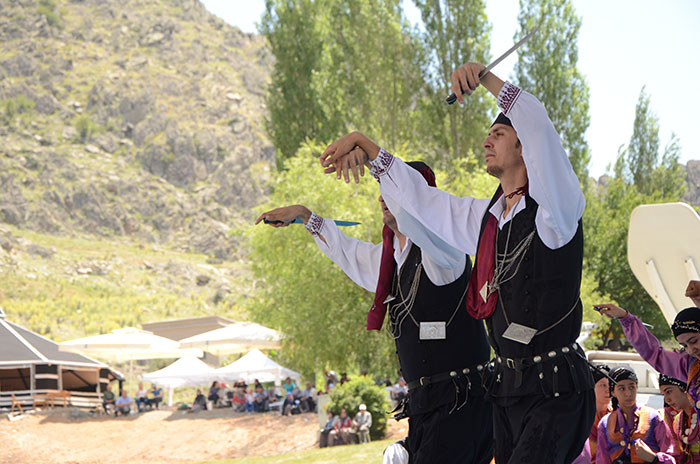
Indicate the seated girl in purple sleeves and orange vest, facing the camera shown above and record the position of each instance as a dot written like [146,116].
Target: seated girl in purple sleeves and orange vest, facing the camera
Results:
[630,433]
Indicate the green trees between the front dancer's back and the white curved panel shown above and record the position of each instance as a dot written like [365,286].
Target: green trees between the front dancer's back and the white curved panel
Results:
[639,178]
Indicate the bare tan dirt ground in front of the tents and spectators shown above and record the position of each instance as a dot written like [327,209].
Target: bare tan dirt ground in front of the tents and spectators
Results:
[61,437]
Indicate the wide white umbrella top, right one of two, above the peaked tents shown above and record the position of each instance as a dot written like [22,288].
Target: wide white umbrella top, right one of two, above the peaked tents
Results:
[238,337]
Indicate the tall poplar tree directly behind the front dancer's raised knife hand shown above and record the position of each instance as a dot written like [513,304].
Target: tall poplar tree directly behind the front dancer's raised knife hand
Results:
[456,32]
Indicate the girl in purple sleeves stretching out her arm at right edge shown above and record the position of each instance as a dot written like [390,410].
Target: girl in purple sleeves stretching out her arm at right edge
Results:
[684,365]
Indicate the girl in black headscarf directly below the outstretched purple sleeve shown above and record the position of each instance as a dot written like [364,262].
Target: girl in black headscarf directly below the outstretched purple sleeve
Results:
[681,418]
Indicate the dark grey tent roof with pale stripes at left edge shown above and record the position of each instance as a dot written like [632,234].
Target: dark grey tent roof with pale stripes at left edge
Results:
[20,345]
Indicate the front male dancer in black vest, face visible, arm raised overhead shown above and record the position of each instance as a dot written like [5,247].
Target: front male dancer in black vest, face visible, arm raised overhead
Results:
[528,243]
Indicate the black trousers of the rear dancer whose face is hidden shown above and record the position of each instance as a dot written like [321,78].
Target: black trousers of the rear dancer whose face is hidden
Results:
[463,437]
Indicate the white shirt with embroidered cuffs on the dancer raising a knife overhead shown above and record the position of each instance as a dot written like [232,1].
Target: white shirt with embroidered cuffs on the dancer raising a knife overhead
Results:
[456,221]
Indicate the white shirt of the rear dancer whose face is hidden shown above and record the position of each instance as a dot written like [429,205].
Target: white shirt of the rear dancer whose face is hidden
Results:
[361,260]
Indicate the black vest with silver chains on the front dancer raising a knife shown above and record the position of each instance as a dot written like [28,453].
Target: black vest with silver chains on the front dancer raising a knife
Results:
[545,288]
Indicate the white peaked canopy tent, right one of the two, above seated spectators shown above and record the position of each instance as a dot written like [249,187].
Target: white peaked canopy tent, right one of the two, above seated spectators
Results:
[255,365]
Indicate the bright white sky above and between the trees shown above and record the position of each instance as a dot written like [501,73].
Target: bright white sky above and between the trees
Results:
[623,45]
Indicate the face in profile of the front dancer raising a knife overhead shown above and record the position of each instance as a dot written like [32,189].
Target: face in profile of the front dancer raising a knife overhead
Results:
[502,150]
